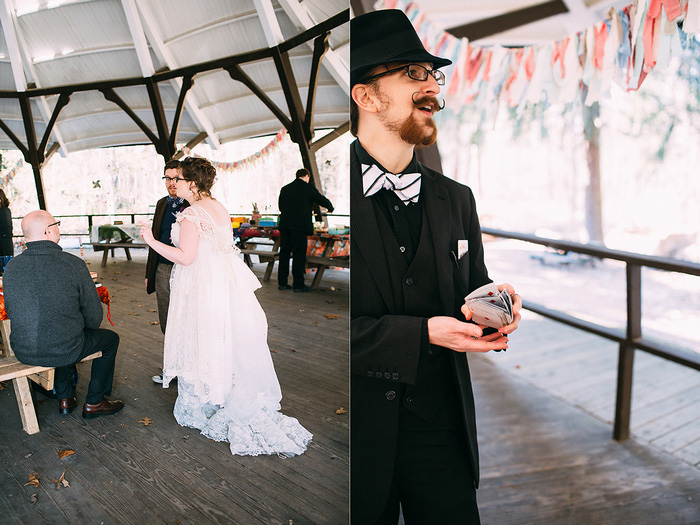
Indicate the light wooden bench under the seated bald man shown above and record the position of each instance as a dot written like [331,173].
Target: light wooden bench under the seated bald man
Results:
[20,374]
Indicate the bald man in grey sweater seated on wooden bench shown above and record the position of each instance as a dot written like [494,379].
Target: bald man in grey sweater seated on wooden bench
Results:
[55,313]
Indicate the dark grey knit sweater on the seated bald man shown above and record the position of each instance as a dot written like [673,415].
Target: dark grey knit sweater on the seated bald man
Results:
[50,299]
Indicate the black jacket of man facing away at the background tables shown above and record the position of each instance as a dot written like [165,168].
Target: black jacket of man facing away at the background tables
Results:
[295,204]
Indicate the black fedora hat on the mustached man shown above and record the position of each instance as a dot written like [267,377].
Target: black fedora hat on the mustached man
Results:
[382,37]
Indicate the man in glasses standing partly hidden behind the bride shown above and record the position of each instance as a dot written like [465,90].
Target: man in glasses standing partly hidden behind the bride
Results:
[158,268]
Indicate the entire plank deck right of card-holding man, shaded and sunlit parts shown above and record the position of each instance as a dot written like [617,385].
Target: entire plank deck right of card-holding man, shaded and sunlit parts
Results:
[547,452]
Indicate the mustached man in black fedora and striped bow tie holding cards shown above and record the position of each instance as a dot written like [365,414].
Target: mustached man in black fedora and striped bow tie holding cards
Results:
[416,253]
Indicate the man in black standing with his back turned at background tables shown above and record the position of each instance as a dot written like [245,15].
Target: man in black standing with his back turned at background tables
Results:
[295,203]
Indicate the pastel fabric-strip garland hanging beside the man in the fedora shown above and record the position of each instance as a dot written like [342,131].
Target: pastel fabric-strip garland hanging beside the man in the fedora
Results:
[624,48]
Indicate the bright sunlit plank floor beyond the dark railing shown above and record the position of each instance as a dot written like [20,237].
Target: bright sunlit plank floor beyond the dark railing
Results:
[581,369]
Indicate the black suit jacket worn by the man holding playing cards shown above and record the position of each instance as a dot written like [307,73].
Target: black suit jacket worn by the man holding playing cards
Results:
[382,338]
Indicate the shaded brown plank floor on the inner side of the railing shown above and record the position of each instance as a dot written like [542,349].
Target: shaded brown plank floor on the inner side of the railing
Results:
[544,461]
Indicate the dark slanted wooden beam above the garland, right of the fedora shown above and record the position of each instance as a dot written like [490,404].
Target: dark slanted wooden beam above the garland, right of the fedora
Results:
[501,23]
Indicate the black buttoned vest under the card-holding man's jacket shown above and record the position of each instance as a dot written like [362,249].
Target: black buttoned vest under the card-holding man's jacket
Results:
[434,398]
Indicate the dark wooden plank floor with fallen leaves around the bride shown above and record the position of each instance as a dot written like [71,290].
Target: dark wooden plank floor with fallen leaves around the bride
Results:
[126,472]
